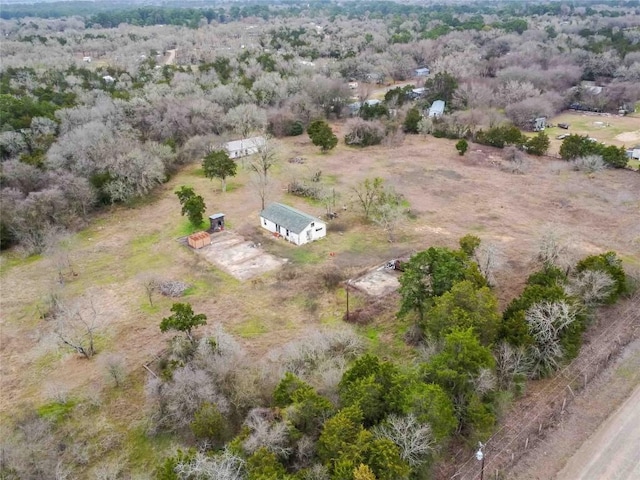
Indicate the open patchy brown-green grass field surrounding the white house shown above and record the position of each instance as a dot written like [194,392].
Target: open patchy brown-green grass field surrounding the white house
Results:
[448,196]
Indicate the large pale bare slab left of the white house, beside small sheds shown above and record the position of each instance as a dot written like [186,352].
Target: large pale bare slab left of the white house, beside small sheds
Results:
[242,259]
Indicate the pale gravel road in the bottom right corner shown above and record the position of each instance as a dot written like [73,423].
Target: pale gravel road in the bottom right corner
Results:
[613,452]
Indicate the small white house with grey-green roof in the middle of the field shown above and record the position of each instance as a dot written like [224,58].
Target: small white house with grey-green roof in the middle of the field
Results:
[292,224]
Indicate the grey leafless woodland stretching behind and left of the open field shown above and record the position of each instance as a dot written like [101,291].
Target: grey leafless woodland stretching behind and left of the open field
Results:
[135,118]
